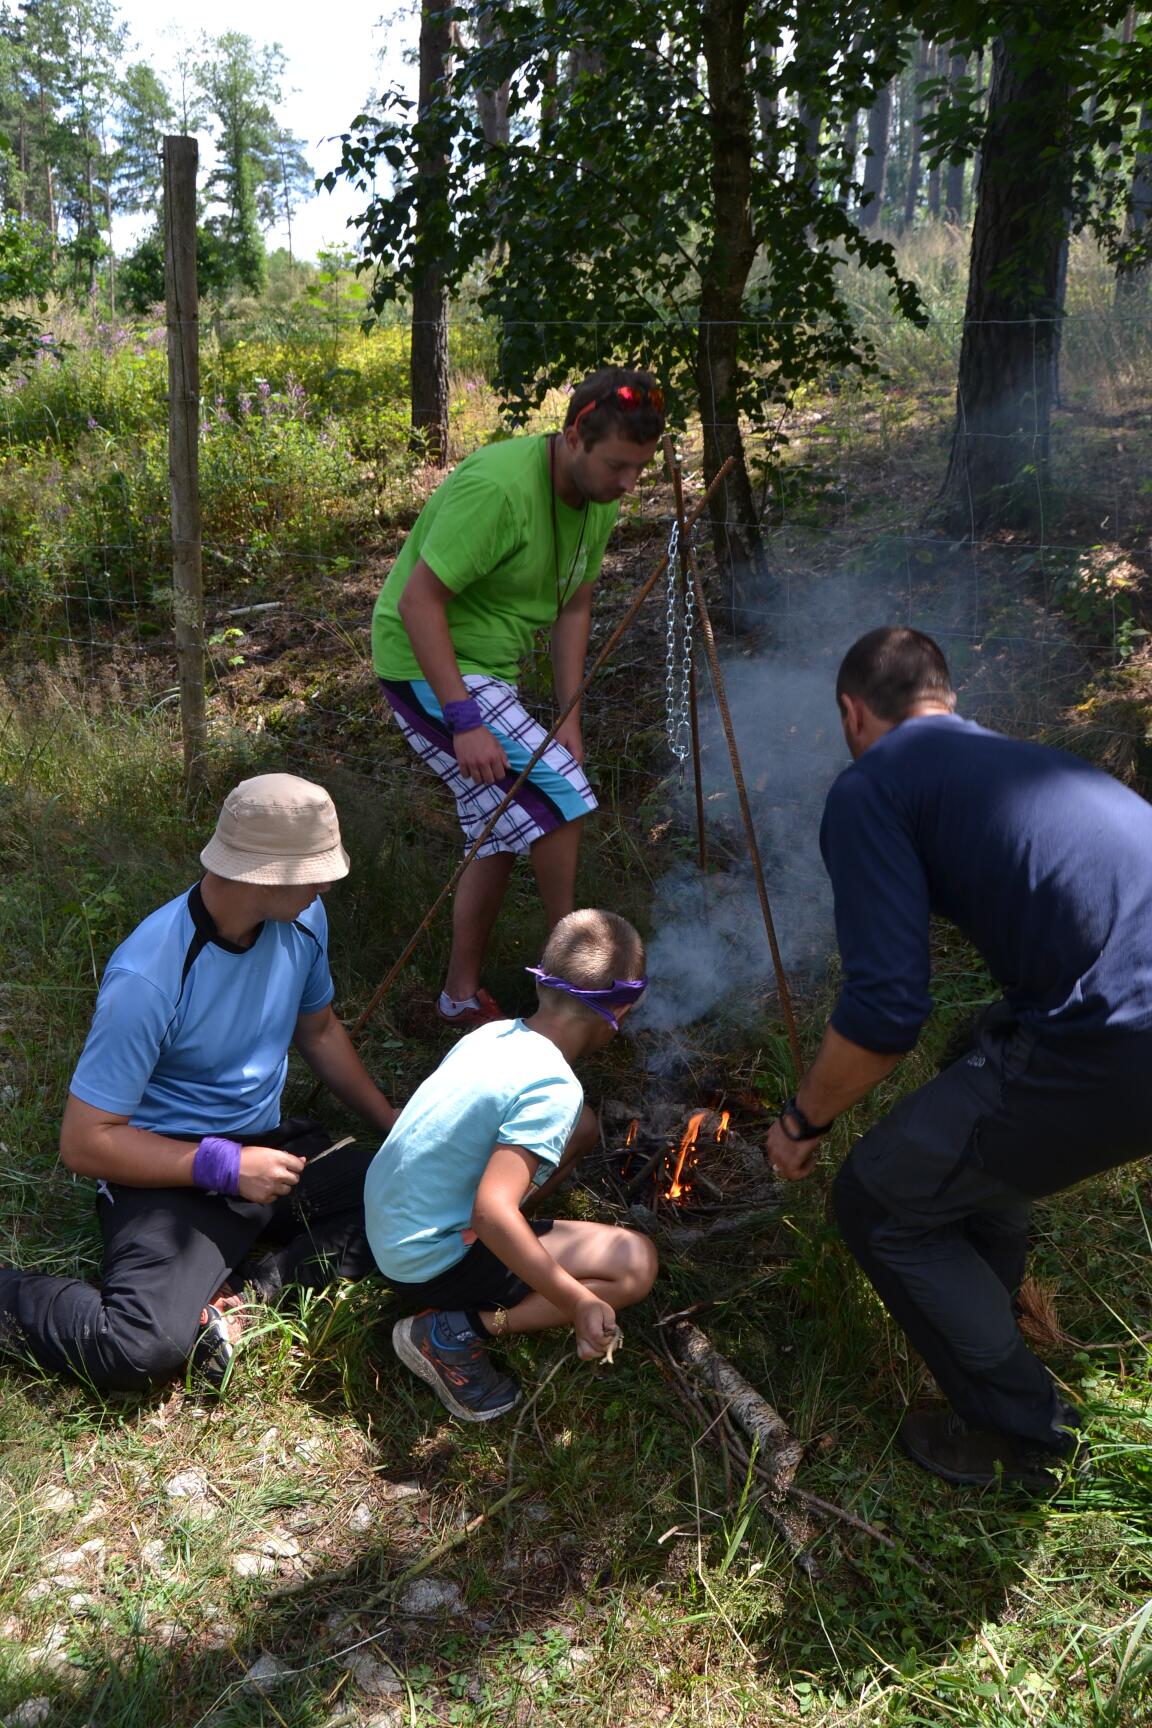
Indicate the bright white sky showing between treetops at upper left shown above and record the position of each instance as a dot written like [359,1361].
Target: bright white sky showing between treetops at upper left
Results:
[334,54]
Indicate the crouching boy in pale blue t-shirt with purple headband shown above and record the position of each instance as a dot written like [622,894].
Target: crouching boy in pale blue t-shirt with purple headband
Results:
[443,1202]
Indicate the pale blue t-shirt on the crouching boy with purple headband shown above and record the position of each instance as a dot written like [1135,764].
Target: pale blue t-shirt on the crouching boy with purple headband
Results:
[502,1086]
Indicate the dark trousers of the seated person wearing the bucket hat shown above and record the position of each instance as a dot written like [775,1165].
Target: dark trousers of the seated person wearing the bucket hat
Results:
[167,1252]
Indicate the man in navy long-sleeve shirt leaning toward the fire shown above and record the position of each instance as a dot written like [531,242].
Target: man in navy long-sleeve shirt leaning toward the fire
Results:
[1046,867]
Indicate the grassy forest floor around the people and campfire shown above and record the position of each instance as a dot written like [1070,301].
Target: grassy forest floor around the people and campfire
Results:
[320,1547]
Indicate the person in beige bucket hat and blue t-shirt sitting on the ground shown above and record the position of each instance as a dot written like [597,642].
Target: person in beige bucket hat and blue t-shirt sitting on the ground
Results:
[175,1110]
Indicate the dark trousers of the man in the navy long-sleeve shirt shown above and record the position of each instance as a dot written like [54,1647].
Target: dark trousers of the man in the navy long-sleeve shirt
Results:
[935,1202]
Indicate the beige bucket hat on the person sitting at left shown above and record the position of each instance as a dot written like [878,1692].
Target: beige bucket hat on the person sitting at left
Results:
[277,830]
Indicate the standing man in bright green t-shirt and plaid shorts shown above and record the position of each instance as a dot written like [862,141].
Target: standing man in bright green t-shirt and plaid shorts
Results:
[509,545]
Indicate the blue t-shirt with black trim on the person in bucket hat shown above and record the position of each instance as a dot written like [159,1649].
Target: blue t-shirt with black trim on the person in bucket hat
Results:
[201,1048]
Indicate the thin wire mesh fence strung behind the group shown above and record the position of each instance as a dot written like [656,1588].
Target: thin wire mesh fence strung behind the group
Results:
[308,483]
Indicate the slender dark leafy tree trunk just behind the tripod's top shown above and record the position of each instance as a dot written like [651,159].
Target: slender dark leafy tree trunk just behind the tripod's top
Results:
[725,270]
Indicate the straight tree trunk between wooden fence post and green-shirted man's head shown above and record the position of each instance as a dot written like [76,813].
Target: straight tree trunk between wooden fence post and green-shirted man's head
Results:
[429,355]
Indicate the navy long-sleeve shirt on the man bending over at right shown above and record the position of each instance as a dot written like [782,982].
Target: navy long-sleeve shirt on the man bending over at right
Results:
[1042,861]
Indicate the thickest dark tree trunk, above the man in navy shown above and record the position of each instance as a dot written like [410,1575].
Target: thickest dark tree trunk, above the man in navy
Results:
[1004,393]
